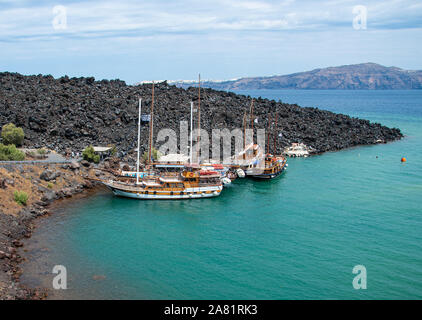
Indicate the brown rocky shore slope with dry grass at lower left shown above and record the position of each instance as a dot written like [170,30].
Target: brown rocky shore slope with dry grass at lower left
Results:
[17,225]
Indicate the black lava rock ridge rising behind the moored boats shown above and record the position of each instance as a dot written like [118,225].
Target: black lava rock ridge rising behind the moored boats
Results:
[71,113]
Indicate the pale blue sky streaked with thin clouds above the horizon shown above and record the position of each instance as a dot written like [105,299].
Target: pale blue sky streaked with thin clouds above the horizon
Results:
[221,39]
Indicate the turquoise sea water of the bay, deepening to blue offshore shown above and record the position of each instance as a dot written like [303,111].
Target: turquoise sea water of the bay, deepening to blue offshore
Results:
[296,237]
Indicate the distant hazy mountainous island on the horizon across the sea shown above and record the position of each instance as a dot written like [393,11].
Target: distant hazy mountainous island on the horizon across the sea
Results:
[365,76]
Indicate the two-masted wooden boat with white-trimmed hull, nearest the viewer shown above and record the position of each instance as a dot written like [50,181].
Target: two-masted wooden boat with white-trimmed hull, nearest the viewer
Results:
[189,183]
